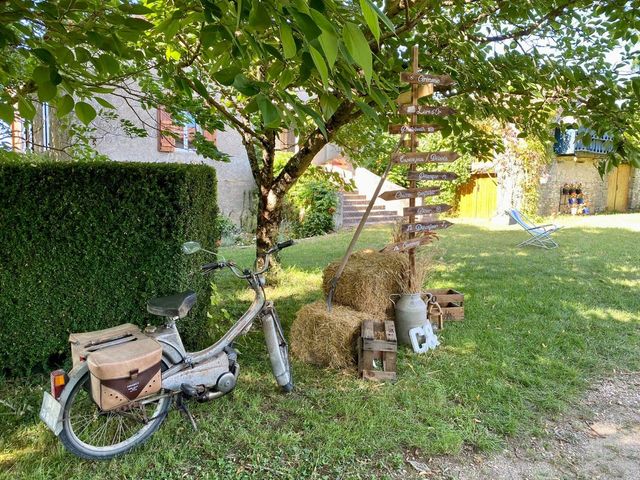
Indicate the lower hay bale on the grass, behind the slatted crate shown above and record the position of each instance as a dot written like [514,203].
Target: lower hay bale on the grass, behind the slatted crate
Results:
[326,338]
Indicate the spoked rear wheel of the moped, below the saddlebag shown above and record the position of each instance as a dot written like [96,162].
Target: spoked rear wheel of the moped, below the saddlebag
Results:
[91,433]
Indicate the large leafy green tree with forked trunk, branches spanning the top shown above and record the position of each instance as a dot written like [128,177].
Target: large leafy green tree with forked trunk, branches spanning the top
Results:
[316,66]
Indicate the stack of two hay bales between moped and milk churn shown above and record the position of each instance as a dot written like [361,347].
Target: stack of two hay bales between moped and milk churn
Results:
[363,293]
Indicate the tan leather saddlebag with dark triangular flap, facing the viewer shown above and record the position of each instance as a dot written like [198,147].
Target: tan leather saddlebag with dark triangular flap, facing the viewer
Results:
[125,372]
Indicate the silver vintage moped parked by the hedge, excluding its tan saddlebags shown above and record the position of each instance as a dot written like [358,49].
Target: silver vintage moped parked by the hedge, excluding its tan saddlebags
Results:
[92,433]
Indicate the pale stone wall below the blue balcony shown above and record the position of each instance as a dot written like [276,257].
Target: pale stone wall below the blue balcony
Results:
[561,171]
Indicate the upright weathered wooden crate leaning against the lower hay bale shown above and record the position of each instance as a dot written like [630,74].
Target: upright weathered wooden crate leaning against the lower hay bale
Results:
[371,348]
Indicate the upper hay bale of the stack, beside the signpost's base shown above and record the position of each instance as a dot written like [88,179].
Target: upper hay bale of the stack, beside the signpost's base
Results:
[368,280]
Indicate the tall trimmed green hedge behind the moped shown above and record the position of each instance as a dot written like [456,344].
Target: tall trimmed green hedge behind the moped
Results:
[84,245]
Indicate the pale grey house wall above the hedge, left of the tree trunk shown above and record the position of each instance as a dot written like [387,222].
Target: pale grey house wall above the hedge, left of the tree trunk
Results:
[235,180]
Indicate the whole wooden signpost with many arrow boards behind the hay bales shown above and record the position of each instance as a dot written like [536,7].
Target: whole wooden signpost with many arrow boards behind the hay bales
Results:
[422,84]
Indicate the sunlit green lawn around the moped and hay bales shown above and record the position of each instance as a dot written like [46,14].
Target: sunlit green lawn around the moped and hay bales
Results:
[539,327]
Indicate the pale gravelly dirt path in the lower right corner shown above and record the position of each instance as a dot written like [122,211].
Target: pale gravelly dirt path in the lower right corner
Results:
[597,439]
